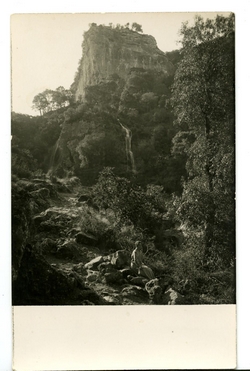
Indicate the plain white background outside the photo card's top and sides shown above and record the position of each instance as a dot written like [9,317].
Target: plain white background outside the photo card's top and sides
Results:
[241,8]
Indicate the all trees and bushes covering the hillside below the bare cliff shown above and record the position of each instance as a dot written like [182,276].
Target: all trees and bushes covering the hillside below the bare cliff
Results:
[183,142]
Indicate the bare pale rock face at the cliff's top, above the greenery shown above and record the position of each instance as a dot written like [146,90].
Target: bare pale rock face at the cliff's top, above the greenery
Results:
[108,51]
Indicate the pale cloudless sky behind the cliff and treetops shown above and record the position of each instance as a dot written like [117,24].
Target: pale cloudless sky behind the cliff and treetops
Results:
[46,48]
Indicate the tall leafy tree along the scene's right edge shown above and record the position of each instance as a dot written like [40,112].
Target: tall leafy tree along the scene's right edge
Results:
[203,101]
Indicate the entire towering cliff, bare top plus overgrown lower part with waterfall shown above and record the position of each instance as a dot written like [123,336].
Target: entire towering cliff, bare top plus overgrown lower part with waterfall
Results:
[121,118]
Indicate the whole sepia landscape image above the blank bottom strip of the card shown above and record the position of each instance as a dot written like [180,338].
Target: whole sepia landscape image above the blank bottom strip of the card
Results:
[123,159]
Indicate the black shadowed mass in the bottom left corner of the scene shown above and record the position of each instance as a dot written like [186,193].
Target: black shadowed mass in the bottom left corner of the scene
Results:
[39,283]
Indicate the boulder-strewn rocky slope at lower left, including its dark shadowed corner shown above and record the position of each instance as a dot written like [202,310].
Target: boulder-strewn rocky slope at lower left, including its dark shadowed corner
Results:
[55,262]
